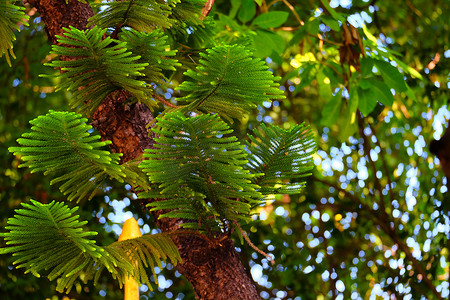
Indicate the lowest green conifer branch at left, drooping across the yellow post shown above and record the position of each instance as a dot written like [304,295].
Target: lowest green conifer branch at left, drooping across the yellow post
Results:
[48,238]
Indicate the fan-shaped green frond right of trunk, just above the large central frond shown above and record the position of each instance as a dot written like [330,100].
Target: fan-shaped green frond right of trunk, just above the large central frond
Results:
[229,81]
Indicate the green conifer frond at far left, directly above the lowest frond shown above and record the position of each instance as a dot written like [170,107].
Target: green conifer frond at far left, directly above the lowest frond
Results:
[61,146]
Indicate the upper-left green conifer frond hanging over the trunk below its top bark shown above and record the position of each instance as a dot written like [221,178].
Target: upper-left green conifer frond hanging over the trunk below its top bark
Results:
[96,68]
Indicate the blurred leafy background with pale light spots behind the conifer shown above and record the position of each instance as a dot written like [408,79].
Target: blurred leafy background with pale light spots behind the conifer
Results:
[373,219]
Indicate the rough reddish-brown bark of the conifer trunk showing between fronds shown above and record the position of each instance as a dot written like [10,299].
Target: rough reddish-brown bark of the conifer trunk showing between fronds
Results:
[211,266]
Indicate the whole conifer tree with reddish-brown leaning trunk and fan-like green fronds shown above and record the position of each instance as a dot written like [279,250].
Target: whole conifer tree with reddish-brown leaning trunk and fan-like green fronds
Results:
[195,176]
